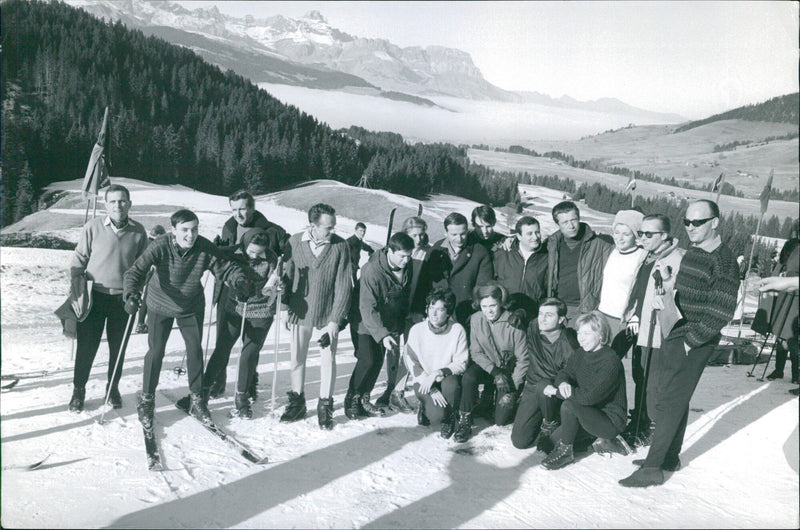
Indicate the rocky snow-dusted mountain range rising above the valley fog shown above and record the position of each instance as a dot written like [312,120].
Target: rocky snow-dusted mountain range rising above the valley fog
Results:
[309,52]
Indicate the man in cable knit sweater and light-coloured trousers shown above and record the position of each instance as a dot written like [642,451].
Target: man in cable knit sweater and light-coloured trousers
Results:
[319,279]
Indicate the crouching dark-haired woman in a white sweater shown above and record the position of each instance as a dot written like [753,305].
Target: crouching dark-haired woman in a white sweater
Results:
[436,354]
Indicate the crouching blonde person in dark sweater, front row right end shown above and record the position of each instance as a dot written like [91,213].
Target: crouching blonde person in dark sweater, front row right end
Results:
[592,385]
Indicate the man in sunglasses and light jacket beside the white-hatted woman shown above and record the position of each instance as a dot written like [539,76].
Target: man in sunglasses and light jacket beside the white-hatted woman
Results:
[664,255]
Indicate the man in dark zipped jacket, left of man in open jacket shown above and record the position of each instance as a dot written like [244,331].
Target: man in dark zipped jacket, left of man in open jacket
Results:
[522,269]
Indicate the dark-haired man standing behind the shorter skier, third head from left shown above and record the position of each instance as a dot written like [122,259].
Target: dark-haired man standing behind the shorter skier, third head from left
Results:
[244,219]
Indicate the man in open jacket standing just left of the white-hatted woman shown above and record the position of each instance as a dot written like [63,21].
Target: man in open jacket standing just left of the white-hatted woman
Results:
[577,256]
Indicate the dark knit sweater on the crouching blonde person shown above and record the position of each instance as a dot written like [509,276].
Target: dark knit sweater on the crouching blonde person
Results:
[598,380]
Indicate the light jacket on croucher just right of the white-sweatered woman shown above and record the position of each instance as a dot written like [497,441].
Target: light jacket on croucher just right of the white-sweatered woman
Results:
[498,344]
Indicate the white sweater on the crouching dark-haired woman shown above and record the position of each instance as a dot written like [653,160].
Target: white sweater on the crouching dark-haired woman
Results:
[427,351]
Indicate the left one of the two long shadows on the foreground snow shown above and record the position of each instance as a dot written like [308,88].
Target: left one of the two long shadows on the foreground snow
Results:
[234,503]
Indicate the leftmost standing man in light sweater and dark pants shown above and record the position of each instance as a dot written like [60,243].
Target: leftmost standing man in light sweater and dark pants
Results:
[107,247]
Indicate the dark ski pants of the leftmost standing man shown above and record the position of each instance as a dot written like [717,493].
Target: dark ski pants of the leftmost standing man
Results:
[108,311]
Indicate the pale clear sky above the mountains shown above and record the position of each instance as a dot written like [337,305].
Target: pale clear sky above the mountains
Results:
[689,58]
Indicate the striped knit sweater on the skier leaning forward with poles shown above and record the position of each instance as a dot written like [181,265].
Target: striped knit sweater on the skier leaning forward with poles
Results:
[175,288]
